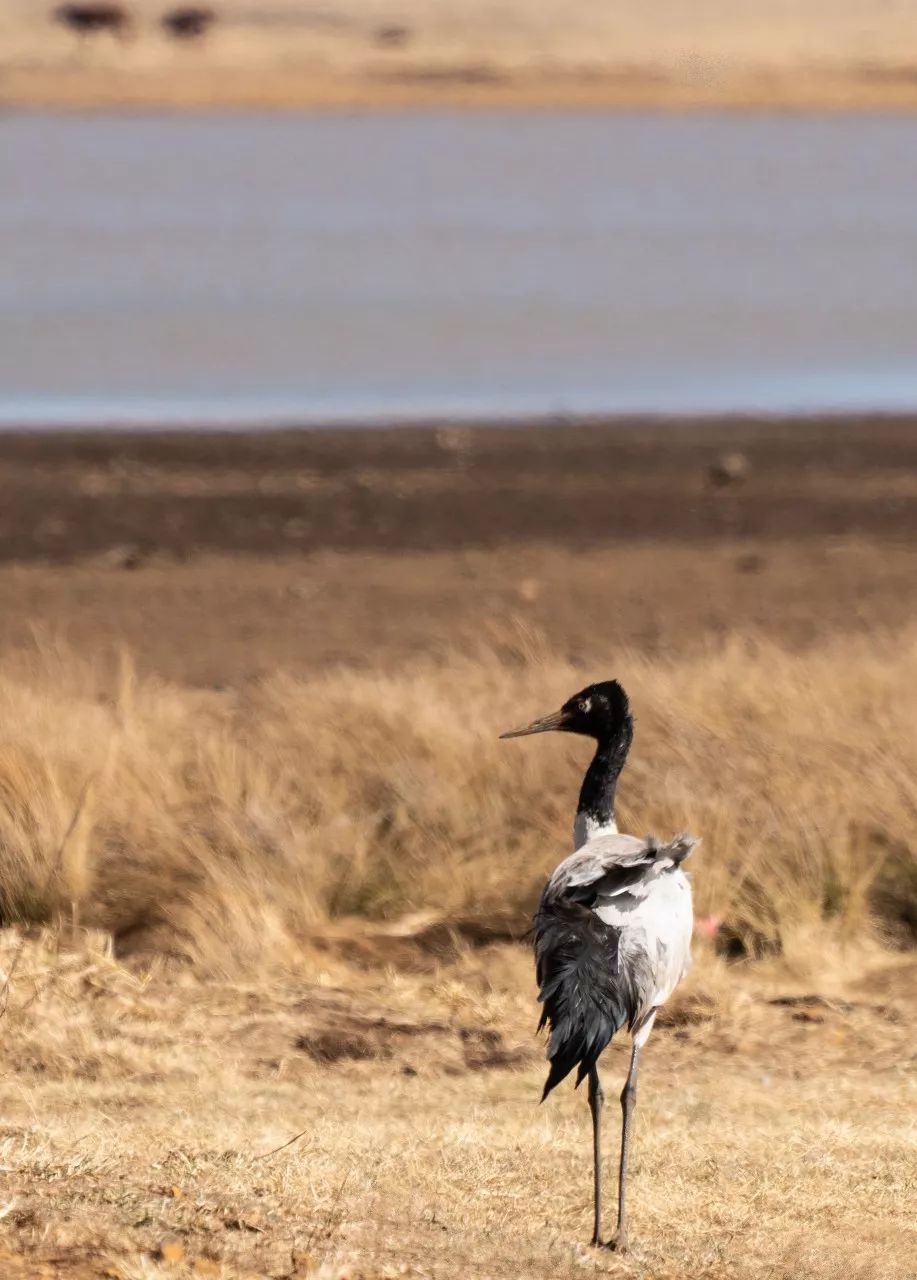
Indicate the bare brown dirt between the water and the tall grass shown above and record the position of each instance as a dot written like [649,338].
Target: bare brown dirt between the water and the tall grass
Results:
[220,559]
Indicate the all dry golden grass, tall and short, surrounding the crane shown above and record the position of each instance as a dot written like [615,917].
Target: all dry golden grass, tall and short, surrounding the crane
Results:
[244,831]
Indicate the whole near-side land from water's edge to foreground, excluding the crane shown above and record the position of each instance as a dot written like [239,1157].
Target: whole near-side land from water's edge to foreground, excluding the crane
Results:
[267,1005]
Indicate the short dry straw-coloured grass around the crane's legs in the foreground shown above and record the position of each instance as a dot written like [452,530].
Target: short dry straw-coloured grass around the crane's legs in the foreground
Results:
[147,1124]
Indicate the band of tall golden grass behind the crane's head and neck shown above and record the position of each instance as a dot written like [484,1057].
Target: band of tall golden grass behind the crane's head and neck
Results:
[227,828]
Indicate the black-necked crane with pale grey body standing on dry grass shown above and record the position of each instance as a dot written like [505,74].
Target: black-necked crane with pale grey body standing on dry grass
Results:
[613,931]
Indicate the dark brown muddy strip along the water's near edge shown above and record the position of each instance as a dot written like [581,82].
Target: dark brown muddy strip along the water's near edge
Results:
[453,486]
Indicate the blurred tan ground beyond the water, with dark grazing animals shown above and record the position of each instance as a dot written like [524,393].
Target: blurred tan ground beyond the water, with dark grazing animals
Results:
[796,54]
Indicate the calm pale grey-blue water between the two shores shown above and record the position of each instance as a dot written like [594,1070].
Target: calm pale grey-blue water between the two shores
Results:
[295,269]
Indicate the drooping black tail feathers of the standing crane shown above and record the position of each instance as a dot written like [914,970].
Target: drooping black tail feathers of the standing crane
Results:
[586,1002]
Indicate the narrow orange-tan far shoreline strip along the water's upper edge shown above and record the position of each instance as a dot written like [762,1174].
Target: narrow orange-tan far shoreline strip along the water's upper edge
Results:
[804,93]
